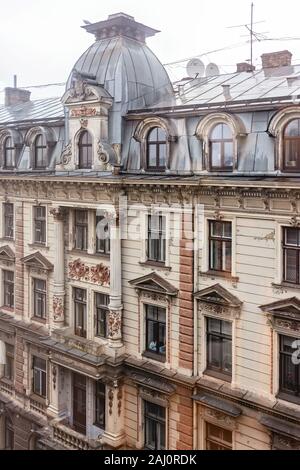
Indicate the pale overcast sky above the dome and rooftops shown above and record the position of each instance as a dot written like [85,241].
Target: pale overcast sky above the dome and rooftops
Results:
[41,39]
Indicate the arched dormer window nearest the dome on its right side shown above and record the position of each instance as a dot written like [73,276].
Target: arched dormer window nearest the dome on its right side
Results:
[156,149]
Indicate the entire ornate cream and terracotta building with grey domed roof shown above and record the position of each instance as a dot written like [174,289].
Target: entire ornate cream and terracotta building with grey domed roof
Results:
[150,255]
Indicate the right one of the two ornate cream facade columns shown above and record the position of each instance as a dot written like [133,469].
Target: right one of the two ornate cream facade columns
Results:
[115,306]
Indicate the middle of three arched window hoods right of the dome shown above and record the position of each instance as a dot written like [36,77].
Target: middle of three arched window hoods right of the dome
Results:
[206,125]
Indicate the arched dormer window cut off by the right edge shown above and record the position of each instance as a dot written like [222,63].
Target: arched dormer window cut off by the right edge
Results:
[291,140]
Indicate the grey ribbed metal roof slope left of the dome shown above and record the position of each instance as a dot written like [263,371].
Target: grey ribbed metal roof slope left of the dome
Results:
[40,110]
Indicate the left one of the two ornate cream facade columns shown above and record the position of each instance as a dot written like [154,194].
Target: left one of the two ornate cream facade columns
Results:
[58,303]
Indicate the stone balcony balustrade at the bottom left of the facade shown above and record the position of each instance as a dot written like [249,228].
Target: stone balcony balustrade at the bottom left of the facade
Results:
[72,439]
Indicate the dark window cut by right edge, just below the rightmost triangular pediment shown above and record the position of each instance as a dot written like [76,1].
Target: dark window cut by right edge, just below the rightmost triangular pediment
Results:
[289,372]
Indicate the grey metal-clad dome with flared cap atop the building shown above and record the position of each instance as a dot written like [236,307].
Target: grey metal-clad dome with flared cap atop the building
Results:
[121,62]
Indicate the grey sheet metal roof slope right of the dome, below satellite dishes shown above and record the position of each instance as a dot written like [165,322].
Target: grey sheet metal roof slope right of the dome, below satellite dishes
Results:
[263,84]
